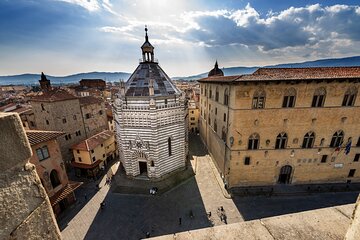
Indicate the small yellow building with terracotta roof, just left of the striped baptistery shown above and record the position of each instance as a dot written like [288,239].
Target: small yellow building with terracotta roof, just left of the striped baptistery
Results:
[94,153]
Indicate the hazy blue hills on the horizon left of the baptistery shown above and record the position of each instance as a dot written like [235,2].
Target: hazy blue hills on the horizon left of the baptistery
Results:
[32,79]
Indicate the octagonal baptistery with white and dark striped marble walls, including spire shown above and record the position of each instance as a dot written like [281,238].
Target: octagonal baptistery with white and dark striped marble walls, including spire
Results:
[150,118]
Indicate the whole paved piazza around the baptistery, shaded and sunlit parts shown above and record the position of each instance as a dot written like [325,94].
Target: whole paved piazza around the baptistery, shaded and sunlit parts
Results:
[132,216]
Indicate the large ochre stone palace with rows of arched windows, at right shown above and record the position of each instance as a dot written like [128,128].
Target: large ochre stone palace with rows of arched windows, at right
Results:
[283,126]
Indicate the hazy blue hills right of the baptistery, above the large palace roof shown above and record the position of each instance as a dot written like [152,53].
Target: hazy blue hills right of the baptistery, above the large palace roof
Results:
[333,62]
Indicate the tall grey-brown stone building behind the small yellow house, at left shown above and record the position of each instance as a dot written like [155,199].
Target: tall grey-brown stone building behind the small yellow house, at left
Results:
[79,118]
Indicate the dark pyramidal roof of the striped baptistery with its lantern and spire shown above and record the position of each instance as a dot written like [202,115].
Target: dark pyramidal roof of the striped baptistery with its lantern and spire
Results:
[149,74]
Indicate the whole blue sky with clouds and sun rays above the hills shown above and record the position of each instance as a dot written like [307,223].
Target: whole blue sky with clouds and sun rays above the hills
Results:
[63,37]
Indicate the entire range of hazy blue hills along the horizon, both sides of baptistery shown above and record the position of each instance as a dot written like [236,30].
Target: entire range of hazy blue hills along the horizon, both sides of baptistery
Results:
[32,79]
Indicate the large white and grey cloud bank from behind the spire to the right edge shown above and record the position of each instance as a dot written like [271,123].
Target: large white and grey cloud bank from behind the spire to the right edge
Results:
[295,33]
